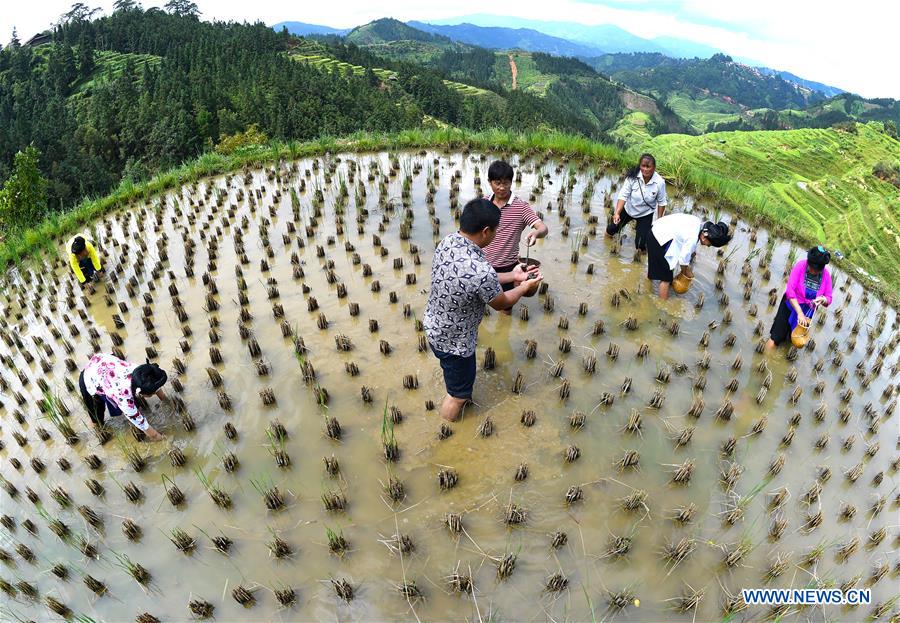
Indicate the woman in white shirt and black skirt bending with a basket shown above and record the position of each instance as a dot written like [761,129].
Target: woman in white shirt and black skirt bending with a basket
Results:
[672,242]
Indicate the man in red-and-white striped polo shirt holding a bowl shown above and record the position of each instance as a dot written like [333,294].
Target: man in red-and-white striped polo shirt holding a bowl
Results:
[515,216]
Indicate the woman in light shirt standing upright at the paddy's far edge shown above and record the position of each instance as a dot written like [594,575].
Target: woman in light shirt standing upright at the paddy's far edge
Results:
[642,192]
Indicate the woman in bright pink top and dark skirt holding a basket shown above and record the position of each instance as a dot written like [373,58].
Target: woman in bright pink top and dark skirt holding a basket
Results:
[808,287]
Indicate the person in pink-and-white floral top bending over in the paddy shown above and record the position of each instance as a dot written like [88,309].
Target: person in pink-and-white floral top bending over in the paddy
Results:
[108,382]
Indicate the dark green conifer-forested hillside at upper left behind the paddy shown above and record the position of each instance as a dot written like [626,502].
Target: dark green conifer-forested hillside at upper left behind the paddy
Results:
[138,91]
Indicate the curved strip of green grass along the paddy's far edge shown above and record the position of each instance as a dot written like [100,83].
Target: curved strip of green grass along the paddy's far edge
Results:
[34,242]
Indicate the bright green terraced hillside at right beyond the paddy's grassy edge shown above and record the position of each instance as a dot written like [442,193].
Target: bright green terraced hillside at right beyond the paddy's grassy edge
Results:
[817,181]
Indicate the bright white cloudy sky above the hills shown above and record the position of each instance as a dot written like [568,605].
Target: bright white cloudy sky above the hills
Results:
[845,45]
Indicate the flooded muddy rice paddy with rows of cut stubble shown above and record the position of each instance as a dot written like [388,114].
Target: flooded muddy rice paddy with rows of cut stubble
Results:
[627,458]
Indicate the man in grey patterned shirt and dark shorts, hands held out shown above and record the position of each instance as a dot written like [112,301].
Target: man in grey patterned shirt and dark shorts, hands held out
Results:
[462,282]
